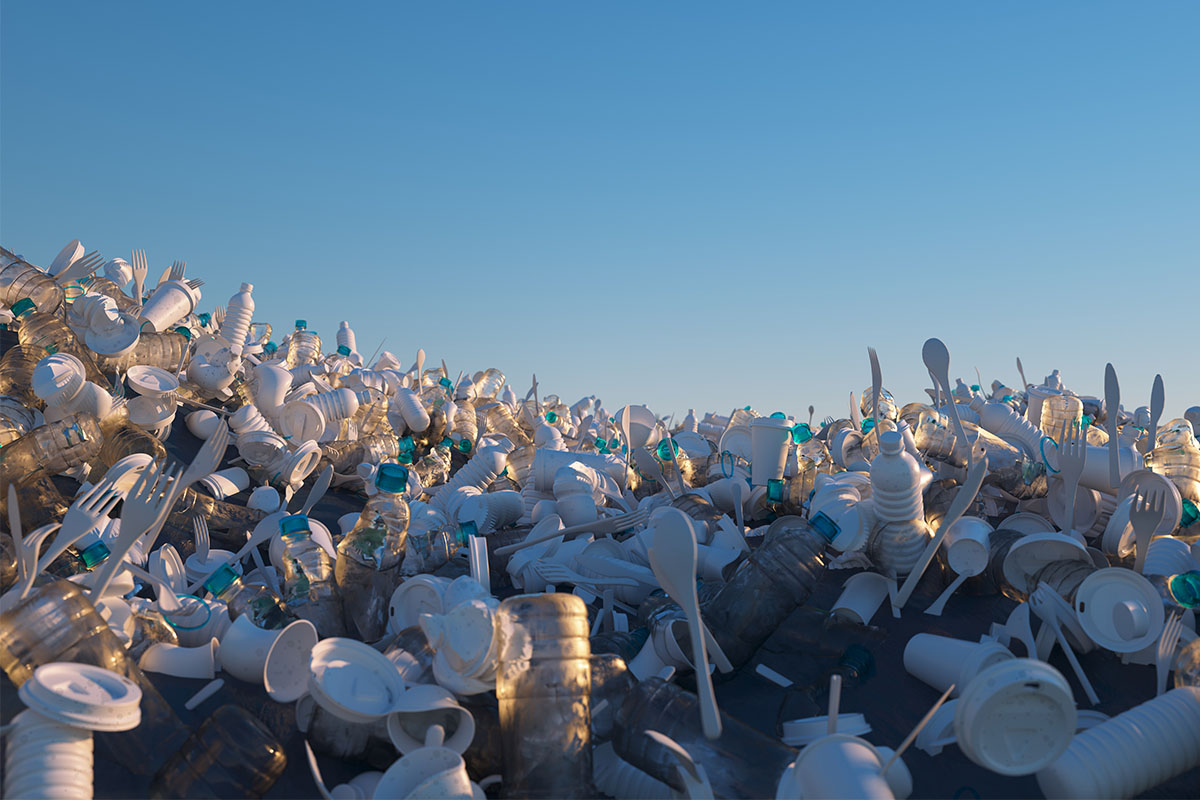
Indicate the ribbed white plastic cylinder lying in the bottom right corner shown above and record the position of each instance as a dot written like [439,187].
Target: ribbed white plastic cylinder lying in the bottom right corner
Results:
[1132,753]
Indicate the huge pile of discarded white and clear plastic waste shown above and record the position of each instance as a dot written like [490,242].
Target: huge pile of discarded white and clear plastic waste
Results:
[235,567]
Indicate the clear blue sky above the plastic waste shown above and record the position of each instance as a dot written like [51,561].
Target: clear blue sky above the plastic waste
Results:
[685,204]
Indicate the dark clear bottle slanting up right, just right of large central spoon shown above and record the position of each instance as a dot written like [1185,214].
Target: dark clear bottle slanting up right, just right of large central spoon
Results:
[766,588]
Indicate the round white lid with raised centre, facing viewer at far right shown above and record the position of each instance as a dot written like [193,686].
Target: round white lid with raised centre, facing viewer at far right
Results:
[1120,610]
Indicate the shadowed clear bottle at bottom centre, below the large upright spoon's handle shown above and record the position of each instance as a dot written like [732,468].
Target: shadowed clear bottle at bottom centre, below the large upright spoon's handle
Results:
[742,763]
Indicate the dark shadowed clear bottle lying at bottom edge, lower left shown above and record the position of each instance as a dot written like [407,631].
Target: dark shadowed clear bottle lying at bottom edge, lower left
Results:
[232,755]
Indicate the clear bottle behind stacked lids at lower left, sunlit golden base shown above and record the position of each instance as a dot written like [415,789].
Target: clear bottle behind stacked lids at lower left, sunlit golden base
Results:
[58,623]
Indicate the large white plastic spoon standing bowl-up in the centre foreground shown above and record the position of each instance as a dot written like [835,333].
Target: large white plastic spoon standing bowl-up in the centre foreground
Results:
[674,561]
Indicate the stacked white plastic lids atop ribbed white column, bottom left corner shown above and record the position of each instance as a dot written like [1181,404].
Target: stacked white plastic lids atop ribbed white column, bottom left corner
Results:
[83,696]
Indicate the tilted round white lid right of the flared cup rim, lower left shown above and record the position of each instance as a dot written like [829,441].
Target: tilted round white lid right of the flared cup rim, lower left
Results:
[353,681]
